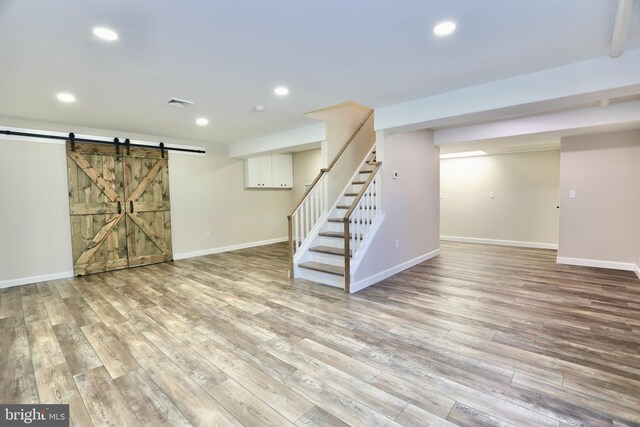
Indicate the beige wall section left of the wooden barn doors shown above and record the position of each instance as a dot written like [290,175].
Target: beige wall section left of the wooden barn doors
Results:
[35,227]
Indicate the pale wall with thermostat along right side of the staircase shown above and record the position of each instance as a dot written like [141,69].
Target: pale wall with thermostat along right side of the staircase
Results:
[411,206]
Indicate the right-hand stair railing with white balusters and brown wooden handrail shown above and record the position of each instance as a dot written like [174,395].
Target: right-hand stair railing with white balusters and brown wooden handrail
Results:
[359,219]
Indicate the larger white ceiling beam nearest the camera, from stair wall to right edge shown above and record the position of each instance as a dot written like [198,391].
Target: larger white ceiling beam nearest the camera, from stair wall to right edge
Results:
[549,90]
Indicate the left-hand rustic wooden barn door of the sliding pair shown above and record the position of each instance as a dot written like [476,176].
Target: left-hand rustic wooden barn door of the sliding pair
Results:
[96,204]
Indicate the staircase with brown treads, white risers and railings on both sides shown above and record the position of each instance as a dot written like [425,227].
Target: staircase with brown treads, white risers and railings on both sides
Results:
[327,245]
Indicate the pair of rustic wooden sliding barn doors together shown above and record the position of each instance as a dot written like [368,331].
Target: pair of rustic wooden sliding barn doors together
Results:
[120,207]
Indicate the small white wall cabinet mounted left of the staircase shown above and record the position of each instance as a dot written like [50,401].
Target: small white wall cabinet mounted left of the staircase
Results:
[272,171]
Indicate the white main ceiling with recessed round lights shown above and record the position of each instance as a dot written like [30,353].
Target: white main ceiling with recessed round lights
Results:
[229,55]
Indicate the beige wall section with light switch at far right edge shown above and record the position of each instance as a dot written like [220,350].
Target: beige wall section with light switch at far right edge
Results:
[599,227]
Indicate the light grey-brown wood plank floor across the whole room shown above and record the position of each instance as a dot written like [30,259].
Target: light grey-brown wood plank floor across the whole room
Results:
[482,335]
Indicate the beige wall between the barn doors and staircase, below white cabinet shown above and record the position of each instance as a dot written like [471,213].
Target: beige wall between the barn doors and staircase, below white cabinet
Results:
[207,193]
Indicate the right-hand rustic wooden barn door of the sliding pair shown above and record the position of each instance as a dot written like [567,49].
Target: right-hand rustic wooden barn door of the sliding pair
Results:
[146,183]
